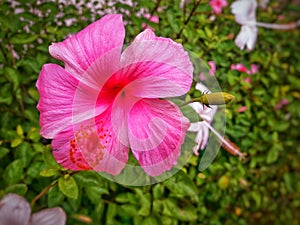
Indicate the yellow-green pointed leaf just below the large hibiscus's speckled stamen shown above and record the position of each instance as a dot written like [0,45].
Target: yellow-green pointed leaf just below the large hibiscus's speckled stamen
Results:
[68,187]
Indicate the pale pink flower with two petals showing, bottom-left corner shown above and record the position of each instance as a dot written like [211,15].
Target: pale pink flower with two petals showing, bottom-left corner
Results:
[15,210]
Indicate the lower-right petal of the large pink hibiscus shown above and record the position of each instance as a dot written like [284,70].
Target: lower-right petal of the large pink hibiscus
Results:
[156,132]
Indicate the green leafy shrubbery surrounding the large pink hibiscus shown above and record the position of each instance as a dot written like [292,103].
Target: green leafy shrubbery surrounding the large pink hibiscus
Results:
[263,189]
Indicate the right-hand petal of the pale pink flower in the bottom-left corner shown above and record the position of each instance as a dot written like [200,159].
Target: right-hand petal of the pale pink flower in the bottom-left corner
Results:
[52,216]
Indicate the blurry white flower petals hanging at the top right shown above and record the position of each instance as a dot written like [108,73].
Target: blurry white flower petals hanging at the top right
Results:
[245,15]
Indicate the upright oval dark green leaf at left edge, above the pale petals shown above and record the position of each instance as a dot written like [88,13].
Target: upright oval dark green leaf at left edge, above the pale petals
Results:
[14,172]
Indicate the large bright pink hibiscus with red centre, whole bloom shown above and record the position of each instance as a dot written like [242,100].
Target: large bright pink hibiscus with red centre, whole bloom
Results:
[106,101]
